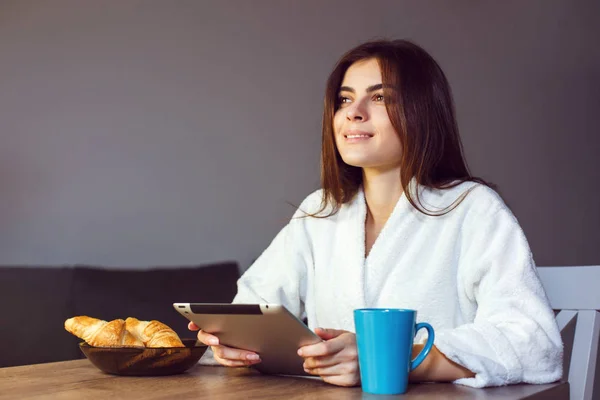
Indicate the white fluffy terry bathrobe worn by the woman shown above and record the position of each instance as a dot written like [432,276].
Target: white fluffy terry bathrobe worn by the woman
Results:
[469,273]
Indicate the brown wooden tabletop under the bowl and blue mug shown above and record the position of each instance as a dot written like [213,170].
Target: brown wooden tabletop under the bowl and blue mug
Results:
[81,380]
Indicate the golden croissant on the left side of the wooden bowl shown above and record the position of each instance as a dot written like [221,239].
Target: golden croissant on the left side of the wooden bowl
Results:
[100,333]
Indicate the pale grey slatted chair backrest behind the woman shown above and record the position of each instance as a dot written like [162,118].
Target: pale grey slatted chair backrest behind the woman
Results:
[575,293]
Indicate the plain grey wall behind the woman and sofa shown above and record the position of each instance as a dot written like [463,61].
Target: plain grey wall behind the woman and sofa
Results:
[139,133]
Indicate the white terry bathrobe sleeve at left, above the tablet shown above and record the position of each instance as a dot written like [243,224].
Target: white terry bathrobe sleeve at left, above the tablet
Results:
[279,275]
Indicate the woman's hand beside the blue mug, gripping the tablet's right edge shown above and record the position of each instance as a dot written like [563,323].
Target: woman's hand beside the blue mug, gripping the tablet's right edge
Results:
[335,359]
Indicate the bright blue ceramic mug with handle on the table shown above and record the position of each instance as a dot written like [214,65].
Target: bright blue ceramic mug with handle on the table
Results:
[384,337]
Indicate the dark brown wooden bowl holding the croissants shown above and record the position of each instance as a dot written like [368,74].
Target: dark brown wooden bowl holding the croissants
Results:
[145,361]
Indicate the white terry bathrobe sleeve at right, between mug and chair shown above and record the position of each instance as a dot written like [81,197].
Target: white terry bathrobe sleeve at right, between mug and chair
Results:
[514,337]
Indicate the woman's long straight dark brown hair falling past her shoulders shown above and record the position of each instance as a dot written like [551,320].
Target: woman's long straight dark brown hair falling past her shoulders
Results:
[422,113]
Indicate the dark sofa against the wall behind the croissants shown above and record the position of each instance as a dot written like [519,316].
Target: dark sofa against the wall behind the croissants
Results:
[35,302]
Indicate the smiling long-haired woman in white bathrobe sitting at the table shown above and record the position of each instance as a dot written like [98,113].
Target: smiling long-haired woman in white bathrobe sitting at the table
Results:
[400,222]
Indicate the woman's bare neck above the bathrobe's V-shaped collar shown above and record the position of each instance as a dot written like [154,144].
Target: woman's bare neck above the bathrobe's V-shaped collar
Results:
[382,192]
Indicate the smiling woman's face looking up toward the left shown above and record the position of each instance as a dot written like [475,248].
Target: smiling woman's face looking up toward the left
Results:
[363,131]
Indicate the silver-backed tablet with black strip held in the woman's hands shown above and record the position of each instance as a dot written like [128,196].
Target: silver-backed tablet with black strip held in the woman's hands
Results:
[270,330]
